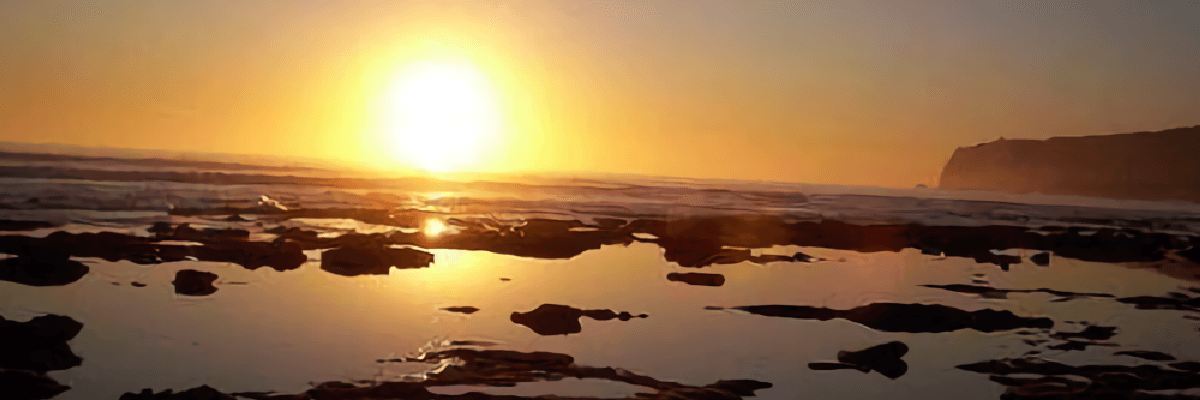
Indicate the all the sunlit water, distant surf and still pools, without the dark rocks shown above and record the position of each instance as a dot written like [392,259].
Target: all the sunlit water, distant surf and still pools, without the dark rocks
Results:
[271,331]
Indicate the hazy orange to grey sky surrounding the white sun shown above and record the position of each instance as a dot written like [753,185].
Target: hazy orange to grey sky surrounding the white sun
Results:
[877,93]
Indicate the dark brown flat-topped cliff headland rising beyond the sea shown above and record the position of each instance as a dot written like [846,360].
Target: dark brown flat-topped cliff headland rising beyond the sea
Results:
[1155,166]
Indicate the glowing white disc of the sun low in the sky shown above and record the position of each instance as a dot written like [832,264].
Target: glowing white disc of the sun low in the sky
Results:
[442,116]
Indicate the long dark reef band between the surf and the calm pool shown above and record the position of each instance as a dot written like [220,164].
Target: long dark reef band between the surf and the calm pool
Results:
[691,243]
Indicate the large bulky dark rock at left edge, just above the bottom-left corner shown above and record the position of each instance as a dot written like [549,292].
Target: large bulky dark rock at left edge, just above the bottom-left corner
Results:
[39,345]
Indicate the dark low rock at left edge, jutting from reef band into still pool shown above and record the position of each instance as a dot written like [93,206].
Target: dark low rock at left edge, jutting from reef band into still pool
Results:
[43,267]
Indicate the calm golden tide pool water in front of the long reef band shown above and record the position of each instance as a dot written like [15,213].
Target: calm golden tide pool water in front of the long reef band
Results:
[281,331]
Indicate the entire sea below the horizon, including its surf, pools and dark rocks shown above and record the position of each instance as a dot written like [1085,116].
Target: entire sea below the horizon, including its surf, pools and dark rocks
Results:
[292,283]
